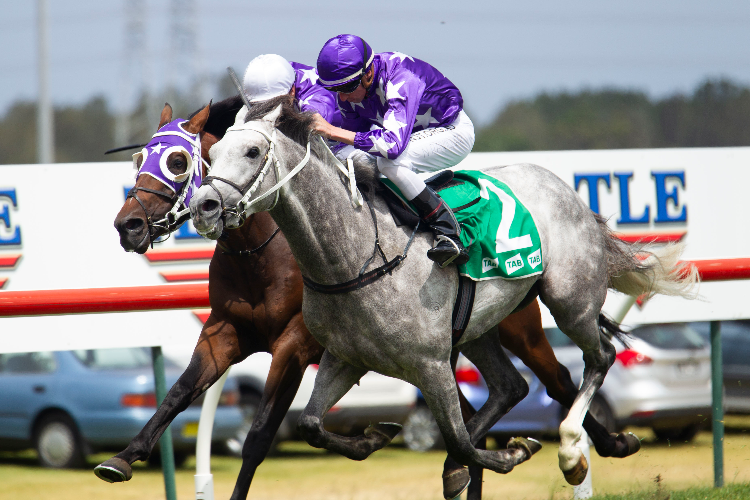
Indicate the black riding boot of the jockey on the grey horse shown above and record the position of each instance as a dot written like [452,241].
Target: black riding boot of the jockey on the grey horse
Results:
[433,210]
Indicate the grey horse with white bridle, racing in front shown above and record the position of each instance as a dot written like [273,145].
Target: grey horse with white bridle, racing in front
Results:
[400,325]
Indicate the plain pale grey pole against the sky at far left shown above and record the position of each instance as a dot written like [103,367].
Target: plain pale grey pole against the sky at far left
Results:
[44,116]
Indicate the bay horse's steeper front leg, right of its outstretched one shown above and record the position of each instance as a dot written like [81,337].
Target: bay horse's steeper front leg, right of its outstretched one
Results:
[294,350]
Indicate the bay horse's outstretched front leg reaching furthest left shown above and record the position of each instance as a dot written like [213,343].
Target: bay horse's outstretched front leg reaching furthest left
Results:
[218,347]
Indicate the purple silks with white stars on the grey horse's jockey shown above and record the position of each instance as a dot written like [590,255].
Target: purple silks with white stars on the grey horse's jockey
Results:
[407,95]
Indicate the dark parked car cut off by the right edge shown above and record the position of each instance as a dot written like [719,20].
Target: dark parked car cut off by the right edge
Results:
[735,347]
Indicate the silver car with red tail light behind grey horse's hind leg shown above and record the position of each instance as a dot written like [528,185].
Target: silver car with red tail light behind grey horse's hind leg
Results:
[662,380]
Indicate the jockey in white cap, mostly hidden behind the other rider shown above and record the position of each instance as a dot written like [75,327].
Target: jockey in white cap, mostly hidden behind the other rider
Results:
[270,75]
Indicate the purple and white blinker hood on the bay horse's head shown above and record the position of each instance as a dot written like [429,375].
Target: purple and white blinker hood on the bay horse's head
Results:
[172,138]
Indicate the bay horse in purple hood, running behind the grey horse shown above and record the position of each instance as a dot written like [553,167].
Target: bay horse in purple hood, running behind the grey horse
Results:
[256,303]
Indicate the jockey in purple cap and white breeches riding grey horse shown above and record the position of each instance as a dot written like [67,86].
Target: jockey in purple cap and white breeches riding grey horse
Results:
[408,115]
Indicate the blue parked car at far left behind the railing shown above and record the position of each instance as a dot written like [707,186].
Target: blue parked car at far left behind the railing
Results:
[68,404]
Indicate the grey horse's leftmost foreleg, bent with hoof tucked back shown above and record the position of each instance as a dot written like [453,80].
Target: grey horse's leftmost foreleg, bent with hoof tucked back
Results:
[335,377]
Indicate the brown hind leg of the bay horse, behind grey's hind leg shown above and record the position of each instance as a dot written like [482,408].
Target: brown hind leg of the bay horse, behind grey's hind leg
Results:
[522,334]
